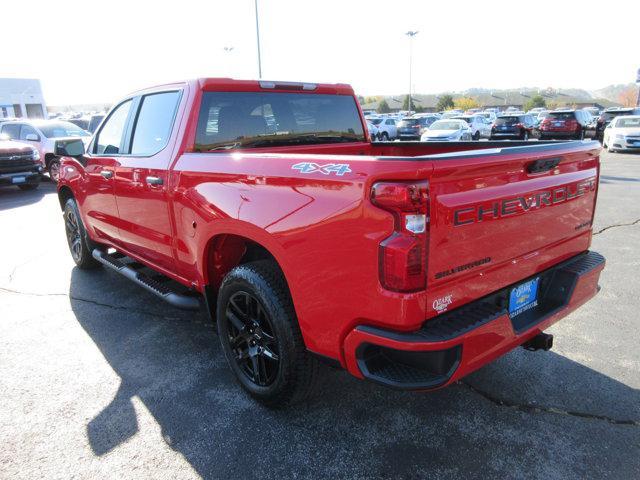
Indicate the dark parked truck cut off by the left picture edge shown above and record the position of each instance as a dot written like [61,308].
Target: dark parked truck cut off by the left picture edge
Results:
[20,165]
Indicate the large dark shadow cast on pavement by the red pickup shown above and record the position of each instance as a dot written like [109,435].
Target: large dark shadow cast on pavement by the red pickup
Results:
[171,361]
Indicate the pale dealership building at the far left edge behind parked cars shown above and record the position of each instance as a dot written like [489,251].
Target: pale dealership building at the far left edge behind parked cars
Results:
[21,98]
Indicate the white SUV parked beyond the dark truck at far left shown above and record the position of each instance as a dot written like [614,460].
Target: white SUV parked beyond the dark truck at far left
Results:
[42,135]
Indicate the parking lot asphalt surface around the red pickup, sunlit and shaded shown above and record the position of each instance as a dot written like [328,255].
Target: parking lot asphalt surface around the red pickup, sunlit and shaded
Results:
[100,380]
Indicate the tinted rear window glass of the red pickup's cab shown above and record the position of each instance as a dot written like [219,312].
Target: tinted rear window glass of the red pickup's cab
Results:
[231,120]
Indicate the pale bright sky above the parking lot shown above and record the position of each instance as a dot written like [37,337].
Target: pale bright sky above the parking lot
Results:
[89,51]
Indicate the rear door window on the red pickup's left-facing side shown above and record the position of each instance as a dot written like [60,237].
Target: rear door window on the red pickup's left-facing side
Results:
[154,122]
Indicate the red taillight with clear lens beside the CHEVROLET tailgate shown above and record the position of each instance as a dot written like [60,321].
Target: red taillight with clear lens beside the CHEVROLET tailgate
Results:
[403,255]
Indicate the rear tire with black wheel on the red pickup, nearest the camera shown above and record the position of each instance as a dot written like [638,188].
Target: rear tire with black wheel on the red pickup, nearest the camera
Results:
[260,336]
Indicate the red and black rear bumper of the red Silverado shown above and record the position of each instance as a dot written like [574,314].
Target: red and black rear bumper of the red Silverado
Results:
[459,342]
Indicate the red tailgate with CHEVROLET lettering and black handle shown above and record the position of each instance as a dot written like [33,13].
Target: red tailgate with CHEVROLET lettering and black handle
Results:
[506,214]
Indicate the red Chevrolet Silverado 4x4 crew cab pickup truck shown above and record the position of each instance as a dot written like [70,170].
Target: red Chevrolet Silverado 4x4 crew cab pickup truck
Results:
[409,264]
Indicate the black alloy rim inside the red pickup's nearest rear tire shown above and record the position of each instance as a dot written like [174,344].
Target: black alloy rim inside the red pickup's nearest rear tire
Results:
[251,338]
